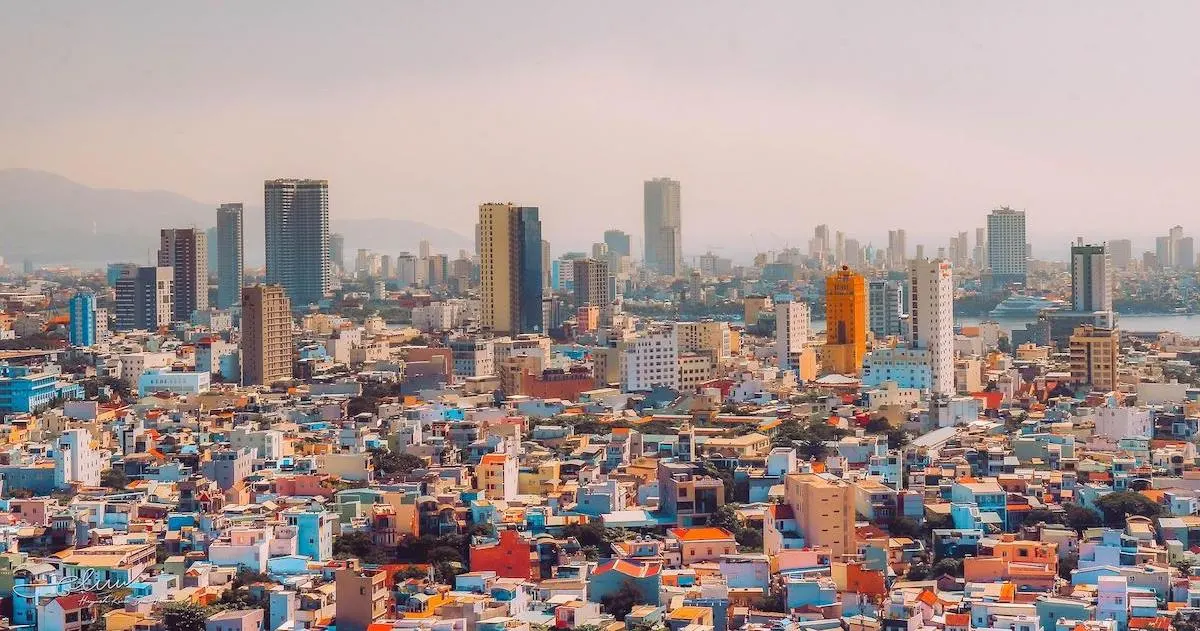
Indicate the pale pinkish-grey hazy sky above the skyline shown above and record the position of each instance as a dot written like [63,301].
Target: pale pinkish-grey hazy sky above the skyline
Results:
[775,116]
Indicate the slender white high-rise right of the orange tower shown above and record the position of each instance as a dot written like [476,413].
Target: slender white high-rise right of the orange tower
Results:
[932,313]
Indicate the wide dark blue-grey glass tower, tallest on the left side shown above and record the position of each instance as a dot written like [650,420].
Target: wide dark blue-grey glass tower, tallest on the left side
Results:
[298,238]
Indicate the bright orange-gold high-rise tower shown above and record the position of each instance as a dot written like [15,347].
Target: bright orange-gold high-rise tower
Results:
[845,322]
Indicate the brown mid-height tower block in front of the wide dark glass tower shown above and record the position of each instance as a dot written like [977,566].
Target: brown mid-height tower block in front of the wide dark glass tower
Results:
[266,335]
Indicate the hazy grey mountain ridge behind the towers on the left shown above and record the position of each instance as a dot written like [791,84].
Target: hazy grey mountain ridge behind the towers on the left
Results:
[53,220]
